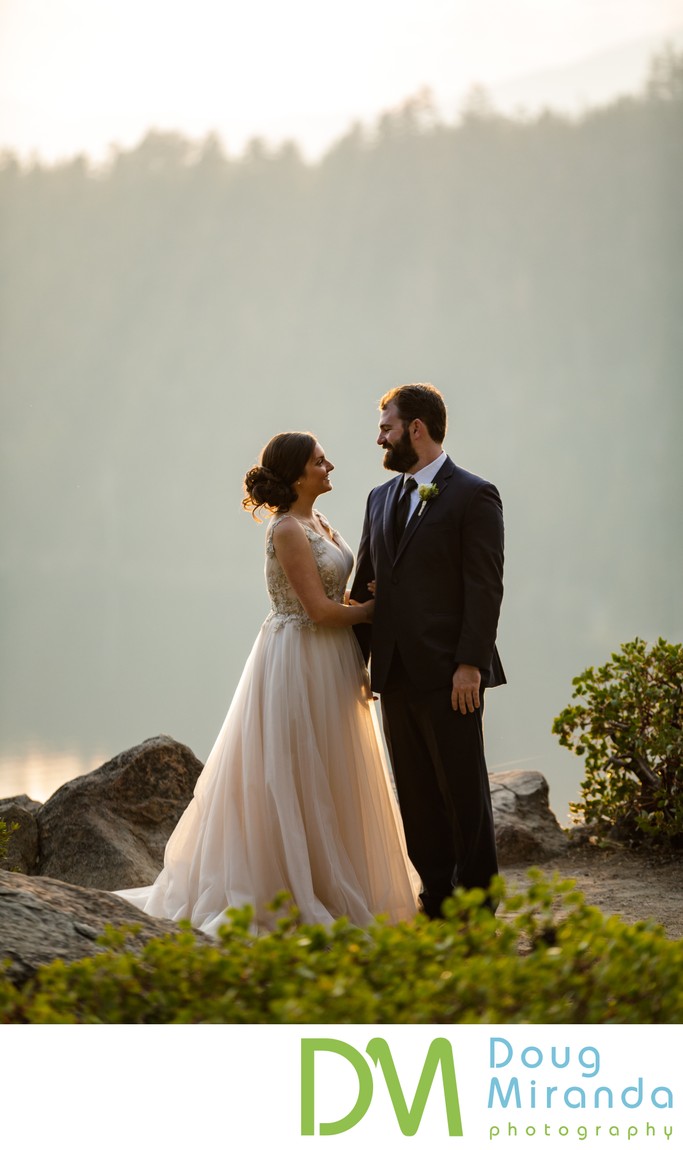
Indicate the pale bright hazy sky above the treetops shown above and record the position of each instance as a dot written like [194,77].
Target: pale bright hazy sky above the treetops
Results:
[81,75]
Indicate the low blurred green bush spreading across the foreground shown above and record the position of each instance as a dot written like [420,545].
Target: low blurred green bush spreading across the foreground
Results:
[546,959]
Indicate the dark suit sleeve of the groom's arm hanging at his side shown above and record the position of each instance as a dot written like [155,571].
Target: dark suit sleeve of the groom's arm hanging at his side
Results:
[482,543]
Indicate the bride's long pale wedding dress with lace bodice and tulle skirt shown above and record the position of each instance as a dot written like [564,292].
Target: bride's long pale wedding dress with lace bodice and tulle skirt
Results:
[296,795]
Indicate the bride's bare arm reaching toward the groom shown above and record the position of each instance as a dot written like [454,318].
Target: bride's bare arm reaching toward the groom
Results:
[296,558]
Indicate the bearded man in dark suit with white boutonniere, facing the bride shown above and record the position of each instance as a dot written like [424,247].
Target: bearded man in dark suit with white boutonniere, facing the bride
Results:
[433,545]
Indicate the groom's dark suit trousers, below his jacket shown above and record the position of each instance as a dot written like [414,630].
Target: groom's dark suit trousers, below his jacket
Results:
[441,775]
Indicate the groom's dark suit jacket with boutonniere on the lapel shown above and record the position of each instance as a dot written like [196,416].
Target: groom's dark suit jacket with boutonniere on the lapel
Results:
[439,596]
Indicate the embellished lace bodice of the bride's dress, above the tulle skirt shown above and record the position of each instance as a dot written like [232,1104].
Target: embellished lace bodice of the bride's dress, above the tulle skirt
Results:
[334,559]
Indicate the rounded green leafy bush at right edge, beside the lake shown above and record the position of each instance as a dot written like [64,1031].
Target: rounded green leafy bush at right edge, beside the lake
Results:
[630,726]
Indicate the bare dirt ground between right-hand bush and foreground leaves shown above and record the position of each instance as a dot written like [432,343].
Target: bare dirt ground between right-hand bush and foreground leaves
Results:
[636,887]
